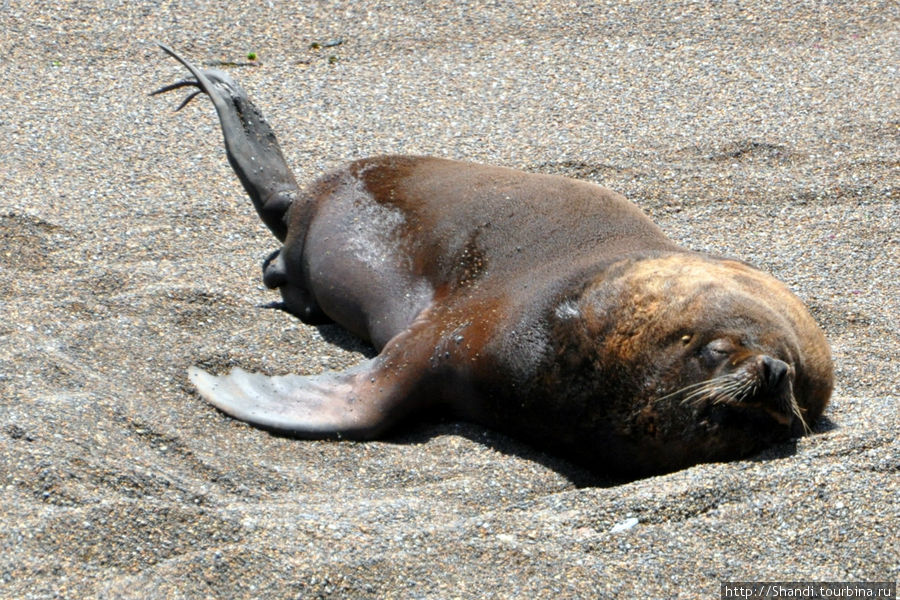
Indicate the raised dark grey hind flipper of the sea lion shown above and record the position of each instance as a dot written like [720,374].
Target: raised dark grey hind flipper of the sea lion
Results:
[251,146]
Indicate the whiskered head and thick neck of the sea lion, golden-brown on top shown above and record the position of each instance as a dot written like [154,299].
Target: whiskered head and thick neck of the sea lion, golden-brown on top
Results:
[692,359]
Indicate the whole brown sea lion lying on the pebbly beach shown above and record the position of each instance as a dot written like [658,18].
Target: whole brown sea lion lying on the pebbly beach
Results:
[545,307]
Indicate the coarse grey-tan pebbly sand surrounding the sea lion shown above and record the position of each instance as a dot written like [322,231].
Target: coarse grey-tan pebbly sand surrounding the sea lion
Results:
[128,252]
